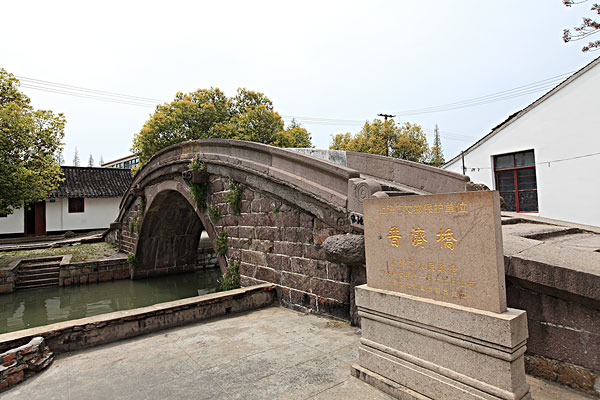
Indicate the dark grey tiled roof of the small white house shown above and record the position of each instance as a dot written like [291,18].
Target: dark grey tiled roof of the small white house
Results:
[93,182]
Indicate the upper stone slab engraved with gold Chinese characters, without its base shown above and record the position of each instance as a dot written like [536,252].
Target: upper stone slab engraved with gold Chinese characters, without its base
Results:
[445,247]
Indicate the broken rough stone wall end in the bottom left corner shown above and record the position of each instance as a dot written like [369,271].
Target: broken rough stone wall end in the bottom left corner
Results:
[18,363]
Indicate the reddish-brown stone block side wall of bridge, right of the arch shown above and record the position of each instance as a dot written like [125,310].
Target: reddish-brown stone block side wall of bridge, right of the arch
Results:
[280,244]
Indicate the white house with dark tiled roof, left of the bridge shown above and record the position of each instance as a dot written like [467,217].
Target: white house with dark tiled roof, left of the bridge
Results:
[88,199]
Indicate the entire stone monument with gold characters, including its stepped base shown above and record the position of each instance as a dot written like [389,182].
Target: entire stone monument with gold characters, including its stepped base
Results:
[433,312]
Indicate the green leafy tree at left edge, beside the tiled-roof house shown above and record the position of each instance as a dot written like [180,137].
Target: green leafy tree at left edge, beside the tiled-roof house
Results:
[30,141]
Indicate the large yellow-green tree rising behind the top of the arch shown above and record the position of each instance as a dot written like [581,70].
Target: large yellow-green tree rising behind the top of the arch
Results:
[209,113]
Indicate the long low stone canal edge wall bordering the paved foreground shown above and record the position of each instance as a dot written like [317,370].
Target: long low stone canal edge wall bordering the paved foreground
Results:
[106,328]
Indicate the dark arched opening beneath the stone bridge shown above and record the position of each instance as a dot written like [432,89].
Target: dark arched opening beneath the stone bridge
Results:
[169,237]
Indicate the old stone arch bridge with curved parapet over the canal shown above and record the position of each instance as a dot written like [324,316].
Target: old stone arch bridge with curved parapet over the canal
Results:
[292,200]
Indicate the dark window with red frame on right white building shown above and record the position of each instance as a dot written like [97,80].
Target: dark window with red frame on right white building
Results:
[515,180]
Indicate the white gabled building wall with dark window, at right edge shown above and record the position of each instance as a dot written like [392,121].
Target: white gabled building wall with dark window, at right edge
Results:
[545,159]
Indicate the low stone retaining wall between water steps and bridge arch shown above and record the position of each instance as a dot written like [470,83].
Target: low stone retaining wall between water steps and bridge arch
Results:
[84,272]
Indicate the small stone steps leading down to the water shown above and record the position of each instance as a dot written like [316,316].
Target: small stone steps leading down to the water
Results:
[38,273]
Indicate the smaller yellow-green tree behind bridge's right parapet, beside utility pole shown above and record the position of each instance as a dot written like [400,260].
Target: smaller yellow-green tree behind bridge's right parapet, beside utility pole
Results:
[385,138]
